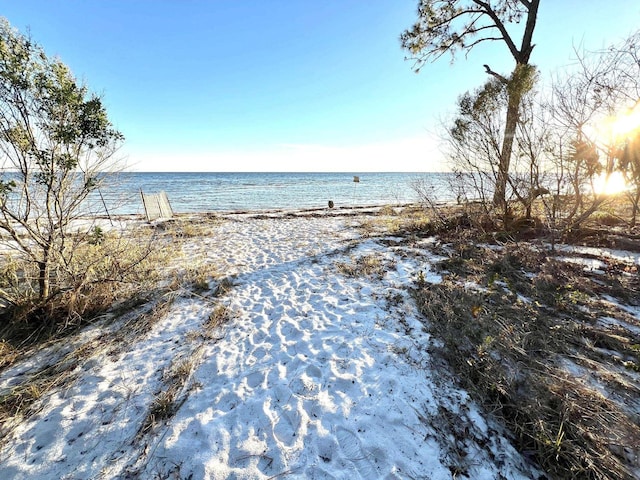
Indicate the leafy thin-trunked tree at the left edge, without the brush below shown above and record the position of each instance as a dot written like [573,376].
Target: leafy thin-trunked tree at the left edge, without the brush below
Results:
[55,140]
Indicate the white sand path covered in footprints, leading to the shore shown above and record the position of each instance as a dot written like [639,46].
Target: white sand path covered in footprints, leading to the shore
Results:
[318,375]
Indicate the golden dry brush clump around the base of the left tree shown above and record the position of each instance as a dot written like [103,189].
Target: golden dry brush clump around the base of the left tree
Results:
[97,276]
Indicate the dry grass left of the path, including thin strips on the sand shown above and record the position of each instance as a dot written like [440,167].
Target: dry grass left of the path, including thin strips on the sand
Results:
[142,276]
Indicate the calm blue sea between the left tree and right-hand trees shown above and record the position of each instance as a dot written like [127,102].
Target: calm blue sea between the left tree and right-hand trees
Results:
[205,192]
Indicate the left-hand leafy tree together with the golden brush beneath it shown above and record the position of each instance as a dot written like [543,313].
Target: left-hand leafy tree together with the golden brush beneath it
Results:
[62,265]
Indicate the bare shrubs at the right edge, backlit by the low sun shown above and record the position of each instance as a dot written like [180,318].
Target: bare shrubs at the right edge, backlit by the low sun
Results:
[586,137]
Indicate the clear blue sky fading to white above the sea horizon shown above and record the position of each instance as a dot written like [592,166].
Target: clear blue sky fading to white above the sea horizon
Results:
[283,85]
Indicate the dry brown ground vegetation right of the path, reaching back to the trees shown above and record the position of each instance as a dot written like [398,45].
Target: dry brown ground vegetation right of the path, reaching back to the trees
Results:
[549,346]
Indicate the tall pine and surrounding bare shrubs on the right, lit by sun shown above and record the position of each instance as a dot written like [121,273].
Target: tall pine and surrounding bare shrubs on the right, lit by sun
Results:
[530,158]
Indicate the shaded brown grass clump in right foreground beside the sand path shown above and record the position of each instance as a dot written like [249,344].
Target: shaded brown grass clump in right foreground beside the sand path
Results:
[516,341]
